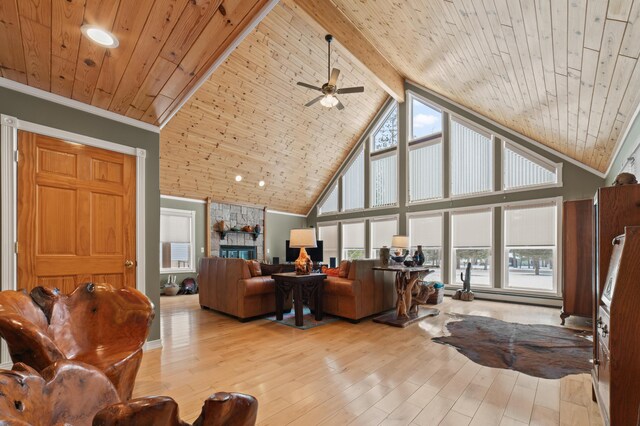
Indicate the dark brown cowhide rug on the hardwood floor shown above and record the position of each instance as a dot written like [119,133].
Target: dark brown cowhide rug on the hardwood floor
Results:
[543,351]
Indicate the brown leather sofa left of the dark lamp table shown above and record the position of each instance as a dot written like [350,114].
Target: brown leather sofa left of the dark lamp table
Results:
[226,285]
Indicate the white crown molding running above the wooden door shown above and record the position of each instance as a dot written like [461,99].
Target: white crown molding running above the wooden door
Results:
[72,103]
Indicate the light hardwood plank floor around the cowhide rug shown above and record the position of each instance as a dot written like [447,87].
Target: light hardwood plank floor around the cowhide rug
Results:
[364,374]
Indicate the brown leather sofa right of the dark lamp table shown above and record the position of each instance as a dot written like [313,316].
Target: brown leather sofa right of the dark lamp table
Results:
[363,293]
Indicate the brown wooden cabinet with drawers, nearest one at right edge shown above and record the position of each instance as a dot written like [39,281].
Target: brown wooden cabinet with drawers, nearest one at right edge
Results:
[616,369]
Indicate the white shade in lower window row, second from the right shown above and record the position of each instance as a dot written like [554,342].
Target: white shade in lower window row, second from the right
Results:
[471,229]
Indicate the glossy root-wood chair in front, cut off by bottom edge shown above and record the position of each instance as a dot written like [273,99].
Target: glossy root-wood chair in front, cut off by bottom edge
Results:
[77,394]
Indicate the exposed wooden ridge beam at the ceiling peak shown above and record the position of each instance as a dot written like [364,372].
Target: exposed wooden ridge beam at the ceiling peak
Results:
[325,13]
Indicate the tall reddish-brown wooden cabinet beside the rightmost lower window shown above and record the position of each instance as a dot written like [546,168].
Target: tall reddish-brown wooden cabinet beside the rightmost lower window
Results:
[577,255]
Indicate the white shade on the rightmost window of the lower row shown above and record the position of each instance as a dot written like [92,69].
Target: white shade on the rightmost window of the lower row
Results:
[533,225]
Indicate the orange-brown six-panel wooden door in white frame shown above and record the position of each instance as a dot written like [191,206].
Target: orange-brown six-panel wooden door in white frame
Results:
[76,214]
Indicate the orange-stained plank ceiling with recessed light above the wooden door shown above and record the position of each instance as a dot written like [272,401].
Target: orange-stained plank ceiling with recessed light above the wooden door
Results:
[166,46]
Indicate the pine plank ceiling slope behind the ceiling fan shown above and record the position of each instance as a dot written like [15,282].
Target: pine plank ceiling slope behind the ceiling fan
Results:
[249,119]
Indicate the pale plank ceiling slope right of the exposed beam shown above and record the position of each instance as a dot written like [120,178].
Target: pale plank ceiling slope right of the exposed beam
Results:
[564,73]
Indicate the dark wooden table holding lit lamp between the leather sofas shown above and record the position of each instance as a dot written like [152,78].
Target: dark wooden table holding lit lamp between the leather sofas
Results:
[302,285]
